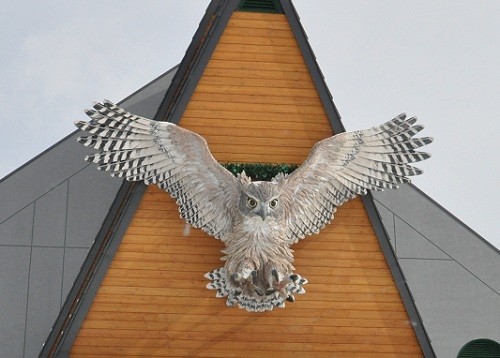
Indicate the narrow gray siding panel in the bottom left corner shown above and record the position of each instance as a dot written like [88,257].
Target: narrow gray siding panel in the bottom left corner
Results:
[14,273]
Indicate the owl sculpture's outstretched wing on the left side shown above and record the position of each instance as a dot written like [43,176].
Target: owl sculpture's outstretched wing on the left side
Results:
[174,158]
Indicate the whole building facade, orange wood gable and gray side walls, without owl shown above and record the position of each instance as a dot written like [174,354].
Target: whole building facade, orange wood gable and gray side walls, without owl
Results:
[91,264]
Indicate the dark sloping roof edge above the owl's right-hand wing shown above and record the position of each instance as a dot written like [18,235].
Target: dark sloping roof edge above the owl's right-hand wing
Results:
[313,67]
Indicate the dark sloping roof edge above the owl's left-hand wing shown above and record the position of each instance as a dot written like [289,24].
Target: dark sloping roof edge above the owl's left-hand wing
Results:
[195,60]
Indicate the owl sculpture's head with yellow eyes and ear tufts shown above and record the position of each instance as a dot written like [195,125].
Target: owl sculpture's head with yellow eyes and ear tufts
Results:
[261,198]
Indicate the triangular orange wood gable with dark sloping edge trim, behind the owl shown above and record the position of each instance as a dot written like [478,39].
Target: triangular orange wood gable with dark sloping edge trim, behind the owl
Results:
[349,263]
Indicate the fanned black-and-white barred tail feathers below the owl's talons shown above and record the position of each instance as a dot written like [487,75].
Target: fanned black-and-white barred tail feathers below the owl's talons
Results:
[259,303]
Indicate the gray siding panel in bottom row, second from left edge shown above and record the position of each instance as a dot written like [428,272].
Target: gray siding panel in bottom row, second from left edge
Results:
[44,296]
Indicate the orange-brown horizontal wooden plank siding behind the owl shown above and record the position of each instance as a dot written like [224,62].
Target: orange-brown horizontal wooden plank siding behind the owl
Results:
[254,103]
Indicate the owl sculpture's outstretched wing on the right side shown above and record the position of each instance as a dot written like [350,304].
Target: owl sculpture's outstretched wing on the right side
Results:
[349,164]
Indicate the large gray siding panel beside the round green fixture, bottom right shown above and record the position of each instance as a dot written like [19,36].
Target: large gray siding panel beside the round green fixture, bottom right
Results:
[455,307]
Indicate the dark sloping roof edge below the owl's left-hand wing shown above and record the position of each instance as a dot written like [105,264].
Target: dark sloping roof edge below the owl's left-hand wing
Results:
[93,270]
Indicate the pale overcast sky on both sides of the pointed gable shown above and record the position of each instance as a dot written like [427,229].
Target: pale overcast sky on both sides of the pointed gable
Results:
[439,60]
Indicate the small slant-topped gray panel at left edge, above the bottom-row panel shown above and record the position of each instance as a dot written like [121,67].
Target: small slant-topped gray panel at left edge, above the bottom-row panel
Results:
[18,229]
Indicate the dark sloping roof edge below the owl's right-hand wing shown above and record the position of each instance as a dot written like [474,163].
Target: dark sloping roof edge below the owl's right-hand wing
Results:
[397,274]
